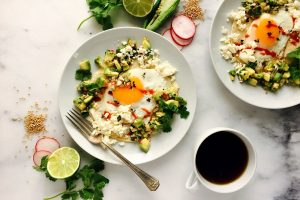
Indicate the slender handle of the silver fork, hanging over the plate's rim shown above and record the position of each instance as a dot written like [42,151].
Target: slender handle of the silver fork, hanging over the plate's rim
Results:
[151,182]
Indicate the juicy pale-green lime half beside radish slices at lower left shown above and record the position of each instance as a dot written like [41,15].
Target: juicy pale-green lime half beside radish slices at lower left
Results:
[63,163]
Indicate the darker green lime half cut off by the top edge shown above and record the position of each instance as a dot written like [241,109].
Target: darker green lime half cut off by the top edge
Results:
[138,8]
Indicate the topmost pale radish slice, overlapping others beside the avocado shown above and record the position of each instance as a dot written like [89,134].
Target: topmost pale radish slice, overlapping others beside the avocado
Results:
[183,27]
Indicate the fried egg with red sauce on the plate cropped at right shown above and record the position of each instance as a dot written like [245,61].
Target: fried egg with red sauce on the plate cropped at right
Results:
[270,32]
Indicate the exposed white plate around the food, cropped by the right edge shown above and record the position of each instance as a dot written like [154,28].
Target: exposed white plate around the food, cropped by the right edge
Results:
[285,97]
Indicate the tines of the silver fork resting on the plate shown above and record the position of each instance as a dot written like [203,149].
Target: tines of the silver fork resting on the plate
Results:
[83,125]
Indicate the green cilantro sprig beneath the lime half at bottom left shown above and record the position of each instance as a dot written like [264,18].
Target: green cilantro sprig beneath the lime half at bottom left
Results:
[92,181]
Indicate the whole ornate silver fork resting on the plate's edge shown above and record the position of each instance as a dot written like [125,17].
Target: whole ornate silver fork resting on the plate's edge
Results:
[86,128]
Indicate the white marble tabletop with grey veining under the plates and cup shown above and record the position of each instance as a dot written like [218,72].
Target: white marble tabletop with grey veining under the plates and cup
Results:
[36,39]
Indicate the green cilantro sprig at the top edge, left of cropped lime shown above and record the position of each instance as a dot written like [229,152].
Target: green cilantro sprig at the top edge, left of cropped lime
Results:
[100,10]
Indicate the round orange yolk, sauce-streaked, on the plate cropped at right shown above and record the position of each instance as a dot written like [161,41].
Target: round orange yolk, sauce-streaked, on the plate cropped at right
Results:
[267,33]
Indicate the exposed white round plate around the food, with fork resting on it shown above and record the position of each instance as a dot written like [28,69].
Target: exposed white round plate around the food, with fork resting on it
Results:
[160,144]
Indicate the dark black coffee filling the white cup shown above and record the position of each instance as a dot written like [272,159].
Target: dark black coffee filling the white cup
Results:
[222,158]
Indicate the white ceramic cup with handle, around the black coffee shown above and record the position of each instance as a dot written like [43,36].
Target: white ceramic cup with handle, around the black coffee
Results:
[195,177]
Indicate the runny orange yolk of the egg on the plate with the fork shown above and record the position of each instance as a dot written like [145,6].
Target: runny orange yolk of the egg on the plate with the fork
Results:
[127,94]
